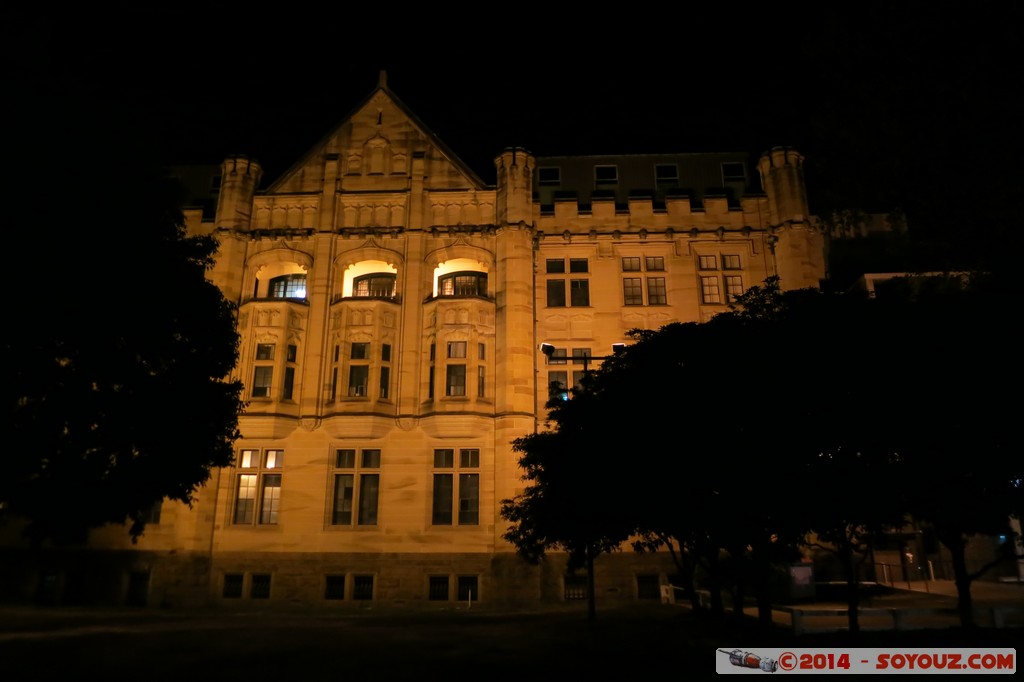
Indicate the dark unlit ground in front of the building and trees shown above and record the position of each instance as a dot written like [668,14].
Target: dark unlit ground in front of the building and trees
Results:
[646,641]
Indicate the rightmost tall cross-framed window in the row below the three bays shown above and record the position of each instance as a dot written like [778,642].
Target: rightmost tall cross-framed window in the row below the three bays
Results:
[456,488]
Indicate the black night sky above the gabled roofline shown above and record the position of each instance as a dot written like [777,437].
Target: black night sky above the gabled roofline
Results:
[920,83]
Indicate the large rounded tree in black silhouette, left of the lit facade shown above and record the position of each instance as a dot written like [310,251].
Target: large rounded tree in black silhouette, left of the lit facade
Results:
[116,390]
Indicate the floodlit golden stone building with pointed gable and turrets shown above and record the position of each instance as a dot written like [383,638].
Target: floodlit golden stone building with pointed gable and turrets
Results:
[392,307]
